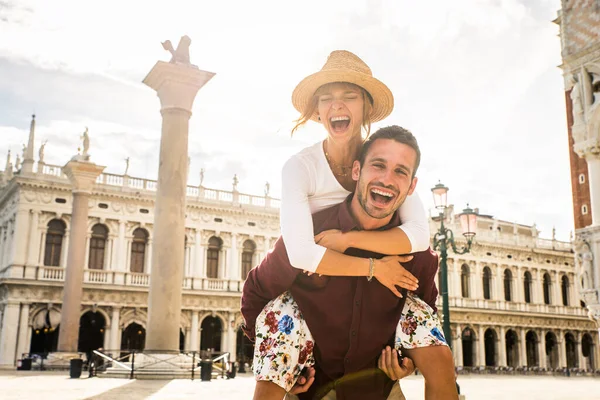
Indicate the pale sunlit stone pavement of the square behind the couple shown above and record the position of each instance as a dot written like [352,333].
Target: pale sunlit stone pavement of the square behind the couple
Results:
[58,386]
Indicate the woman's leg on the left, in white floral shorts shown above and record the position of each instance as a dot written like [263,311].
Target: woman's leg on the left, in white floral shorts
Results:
[283,348]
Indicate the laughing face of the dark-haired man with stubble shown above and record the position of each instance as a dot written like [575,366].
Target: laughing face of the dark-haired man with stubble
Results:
[385,179]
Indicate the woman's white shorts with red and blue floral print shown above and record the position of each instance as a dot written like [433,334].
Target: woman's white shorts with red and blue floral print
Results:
[284,344]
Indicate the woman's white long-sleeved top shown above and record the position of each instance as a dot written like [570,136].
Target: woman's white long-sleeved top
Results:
[308,186]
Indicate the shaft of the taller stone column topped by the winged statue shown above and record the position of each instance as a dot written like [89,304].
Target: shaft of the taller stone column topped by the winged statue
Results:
[164,299]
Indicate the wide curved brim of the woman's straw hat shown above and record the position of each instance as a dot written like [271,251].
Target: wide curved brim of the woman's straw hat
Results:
[383,100]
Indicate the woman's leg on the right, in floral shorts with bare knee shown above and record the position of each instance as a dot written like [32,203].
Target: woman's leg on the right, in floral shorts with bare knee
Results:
[419,336]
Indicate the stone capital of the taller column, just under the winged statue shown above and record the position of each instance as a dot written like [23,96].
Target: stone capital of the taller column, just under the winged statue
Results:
[176,84]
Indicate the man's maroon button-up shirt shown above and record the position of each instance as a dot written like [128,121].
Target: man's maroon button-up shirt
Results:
[351,319]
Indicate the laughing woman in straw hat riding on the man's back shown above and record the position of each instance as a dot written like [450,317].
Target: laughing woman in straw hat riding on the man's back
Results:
[345,98]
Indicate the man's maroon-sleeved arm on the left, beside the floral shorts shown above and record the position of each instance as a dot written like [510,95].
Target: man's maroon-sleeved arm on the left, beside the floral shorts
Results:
[273,276]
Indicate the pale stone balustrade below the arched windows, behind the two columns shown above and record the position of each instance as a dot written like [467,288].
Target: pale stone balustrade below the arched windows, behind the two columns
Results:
[130,279]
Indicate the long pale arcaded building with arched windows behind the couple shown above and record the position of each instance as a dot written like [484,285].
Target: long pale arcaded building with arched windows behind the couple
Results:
[513,298]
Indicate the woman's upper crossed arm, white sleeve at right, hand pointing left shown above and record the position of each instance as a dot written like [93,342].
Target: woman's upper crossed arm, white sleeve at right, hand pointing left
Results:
[410,237]
